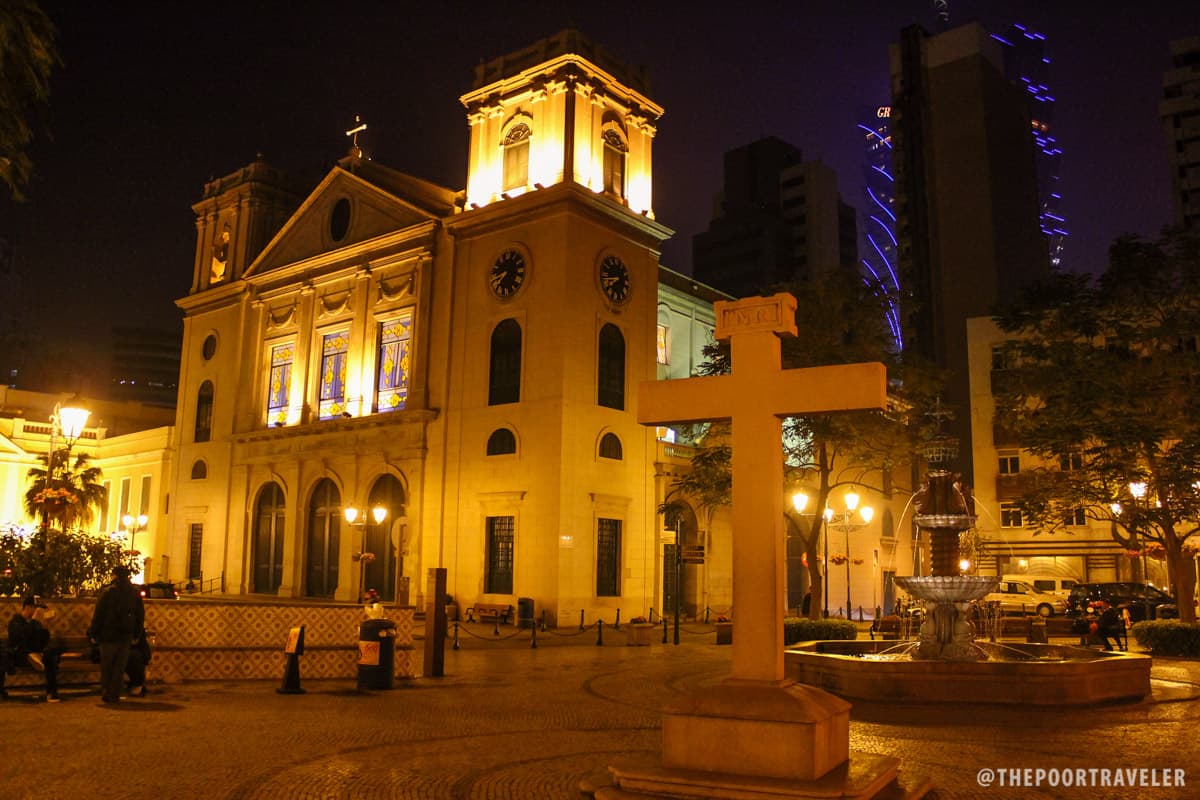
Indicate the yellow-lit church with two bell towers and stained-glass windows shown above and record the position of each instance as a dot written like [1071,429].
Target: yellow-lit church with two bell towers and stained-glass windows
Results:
[459,368]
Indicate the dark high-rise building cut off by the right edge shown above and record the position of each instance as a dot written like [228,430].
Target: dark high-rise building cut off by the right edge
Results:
[1180,111]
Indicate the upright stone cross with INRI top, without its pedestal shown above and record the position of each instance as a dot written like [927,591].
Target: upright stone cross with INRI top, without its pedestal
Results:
[755,398]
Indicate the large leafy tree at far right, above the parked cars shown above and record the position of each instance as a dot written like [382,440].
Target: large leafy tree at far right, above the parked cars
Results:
[1101,386]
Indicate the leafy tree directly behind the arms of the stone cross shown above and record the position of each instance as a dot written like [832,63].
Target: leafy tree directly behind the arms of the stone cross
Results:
[838,321]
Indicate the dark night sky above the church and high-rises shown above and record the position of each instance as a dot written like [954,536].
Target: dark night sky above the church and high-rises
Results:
[157,99]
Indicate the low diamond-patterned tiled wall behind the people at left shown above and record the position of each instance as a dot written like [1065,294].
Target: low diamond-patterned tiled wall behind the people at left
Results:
[238,640]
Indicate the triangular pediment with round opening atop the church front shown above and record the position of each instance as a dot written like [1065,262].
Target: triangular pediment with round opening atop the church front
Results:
[353,204]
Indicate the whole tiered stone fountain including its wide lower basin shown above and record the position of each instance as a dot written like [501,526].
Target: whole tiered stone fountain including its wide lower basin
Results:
[946,665]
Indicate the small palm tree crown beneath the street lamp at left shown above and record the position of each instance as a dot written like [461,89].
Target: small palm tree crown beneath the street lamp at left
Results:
[68,498]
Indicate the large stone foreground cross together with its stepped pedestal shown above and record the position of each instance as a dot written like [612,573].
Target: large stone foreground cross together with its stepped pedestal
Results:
[758,735]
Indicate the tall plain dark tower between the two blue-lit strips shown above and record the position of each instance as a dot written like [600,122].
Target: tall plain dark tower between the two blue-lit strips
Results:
[968,210]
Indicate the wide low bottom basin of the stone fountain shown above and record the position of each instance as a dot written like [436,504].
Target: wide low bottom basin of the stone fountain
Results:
[1052,676]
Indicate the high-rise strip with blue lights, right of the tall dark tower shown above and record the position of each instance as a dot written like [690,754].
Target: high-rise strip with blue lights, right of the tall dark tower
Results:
[1028,67]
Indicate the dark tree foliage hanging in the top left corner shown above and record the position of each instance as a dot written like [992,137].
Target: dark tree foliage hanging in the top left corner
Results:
[28,56]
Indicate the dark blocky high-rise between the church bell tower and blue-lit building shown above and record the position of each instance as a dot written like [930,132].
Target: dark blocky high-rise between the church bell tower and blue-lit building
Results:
[778,219]
